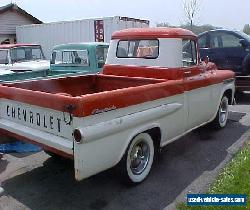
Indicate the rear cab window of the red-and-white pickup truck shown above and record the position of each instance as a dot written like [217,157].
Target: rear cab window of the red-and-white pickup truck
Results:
[138,49]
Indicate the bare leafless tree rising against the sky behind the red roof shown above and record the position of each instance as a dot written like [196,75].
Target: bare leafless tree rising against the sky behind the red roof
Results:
[191,9]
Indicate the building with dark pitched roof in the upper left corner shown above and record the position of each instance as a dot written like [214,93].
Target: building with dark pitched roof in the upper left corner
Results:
[12,16]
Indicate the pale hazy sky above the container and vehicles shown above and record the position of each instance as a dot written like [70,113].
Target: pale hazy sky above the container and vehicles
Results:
[229,14]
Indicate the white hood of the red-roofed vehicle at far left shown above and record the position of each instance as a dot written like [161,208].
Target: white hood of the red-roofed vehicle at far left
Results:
[30,65]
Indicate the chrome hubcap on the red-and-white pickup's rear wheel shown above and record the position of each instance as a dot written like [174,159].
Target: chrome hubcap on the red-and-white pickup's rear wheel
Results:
[139,157]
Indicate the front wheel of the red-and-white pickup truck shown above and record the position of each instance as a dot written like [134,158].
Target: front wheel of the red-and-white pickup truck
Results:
[220,120]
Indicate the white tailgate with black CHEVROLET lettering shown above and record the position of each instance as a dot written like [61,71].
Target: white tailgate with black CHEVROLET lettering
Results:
[45,126]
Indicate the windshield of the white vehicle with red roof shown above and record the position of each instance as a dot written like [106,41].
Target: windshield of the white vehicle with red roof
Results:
[30,53]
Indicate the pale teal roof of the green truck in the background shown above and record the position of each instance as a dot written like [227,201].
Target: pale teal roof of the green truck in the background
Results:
[79,46]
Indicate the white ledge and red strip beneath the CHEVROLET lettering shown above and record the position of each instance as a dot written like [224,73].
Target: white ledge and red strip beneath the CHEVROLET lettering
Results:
[53,143]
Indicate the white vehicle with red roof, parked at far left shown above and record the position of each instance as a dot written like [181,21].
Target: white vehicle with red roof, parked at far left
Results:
[22,57]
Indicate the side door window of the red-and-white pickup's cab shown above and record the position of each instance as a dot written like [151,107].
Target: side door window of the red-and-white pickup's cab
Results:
[189,53]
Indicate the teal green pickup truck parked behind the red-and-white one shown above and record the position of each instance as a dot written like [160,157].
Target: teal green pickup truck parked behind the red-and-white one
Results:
[67,59]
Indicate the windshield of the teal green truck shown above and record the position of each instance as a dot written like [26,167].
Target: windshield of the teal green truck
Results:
[70,57]
